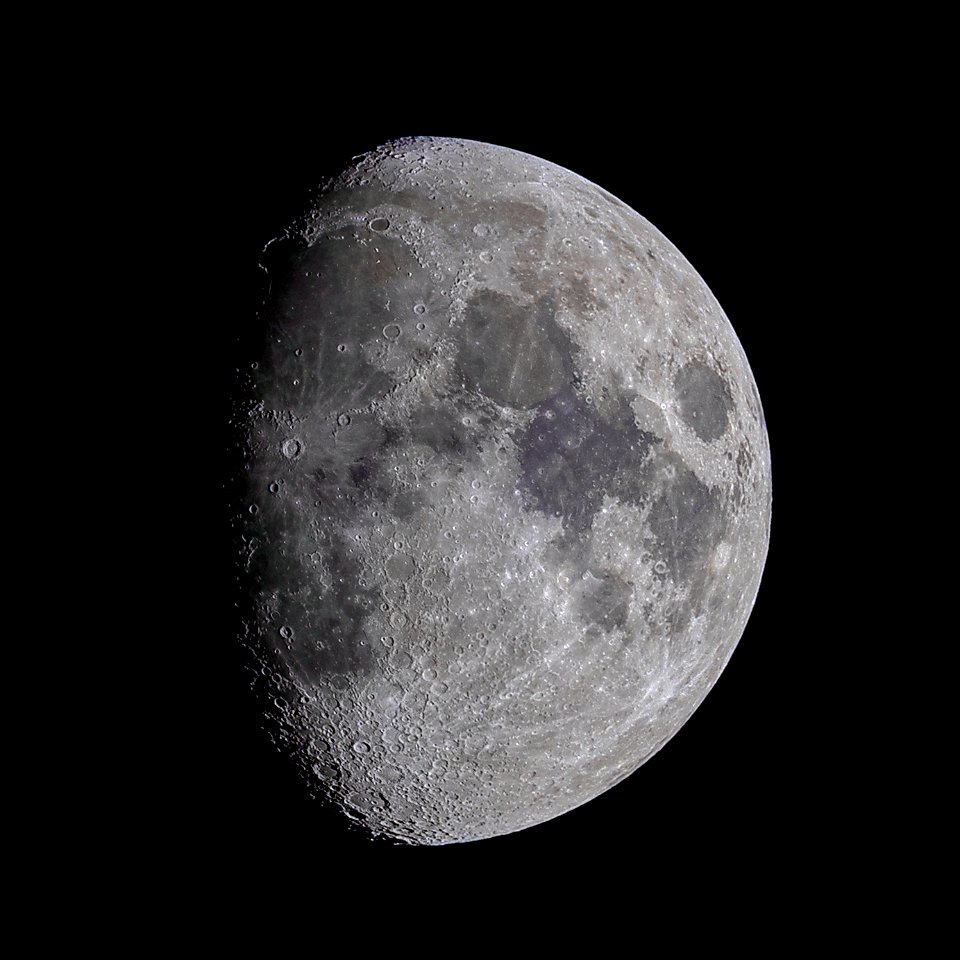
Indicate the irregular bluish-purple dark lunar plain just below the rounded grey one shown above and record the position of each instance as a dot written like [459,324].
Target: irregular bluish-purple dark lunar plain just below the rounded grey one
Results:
[570,458]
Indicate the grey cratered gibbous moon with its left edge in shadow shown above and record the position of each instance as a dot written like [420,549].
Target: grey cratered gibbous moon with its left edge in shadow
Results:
[506,498]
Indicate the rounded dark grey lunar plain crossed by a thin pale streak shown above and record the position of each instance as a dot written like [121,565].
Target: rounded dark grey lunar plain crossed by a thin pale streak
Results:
[512,352]
